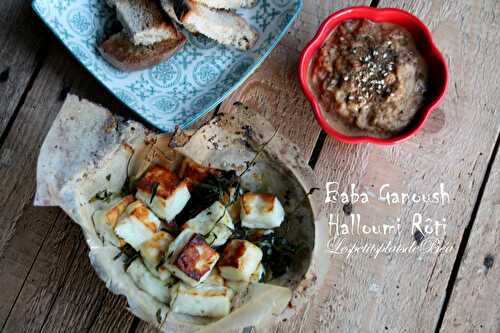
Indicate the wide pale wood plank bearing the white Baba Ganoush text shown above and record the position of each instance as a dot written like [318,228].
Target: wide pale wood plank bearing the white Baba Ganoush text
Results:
[405,292]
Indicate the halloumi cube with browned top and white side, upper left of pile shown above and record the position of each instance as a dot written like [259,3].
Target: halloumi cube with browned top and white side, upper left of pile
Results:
[163,192]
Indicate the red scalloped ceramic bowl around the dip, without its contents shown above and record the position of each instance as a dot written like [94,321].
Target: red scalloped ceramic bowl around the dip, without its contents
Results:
[438,68]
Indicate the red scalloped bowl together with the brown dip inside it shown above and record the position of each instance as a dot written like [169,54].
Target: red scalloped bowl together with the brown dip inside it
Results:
[373,75]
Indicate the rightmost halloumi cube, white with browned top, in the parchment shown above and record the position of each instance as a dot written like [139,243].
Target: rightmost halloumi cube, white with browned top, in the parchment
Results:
[261,210]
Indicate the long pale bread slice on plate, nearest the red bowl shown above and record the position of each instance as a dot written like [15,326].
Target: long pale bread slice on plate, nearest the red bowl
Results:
[225,27]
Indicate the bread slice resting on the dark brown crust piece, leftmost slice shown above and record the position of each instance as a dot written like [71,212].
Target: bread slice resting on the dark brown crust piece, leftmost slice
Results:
[144,21]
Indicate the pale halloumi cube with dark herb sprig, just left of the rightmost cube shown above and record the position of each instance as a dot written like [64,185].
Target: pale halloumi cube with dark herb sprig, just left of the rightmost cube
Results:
[214,223]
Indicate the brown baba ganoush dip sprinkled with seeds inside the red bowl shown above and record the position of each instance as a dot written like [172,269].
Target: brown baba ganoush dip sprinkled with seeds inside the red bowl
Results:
[371,76]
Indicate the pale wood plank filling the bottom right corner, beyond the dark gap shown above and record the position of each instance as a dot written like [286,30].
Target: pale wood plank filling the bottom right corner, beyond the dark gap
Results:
[474,305]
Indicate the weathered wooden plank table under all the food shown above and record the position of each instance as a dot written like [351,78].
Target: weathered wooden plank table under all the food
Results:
[47,283]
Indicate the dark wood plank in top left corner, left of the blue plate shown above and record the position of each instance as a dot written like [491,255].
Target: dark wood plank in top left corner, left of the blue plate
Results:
[22,38]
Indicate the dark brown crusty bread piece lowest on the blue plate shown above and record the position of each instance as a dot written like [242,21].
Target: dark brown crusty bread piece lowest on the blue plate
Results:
[120,52]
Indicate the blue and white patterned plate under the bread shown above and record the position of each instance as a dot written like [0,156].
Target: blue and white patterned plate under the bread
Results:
[187,86]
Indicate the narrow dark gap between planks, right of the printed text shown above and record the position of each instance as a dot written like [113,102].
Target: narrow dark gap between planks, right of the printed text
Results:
[466,235]
